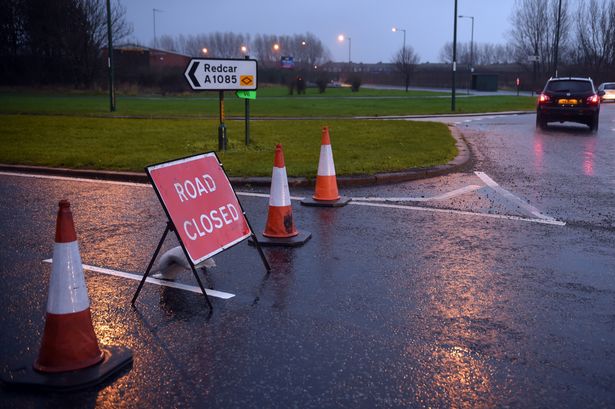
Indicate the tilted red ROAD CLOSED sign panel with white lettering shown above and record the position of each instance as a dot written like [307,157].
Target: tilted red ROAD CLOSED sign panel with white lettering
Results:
[201,203]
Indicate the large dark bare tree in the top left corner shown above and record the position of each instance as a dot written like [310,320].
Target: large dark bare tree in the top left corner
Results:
[57,41]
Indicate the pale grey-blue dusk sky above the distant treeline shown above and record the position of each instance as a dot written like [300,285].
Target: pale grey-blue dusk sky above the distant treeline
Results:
[368,23]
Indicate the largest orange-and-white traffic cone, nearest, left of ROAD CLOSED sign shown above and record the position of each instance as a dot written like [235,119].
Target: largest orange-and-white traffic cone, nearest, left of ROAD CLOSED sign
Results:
[70,357]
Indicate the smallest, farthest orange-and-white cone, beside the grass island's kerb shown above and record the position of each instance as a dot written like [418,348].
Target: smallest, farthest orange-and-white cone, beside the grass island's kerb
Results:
[326,193]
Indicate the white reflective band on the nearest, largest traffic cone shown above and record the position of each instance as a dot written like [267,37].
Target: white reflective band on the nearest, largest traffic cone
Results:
[67,290]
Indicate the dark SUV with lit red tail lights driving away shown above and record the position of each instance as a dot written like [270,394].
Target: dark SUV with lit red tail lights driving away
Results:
[571,99]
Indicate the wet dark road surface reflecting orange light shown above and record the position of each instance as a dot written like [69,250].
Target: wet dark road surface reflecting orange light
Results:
[499,291]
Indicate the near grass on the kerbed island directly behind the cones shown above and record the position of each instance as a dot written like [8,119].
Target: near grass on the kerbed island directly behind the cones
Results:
[359,146]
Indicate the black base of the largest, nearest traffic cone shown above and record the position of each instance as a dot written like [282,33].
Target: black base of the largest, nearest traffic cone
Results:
[116,358]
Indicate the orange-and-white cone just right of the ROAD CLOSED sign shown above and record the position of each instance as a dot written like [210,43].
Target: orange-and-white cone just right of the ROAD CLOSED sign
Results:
[280,228]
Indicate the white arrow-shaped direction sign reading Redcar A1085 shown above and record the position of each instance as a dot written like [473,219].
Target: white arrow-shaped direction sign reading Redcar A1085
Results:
[208,74]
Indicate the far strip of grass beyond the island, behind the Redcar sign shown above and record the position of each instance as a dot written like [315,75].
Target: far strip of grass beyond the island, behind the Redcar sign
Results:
[271,102]
